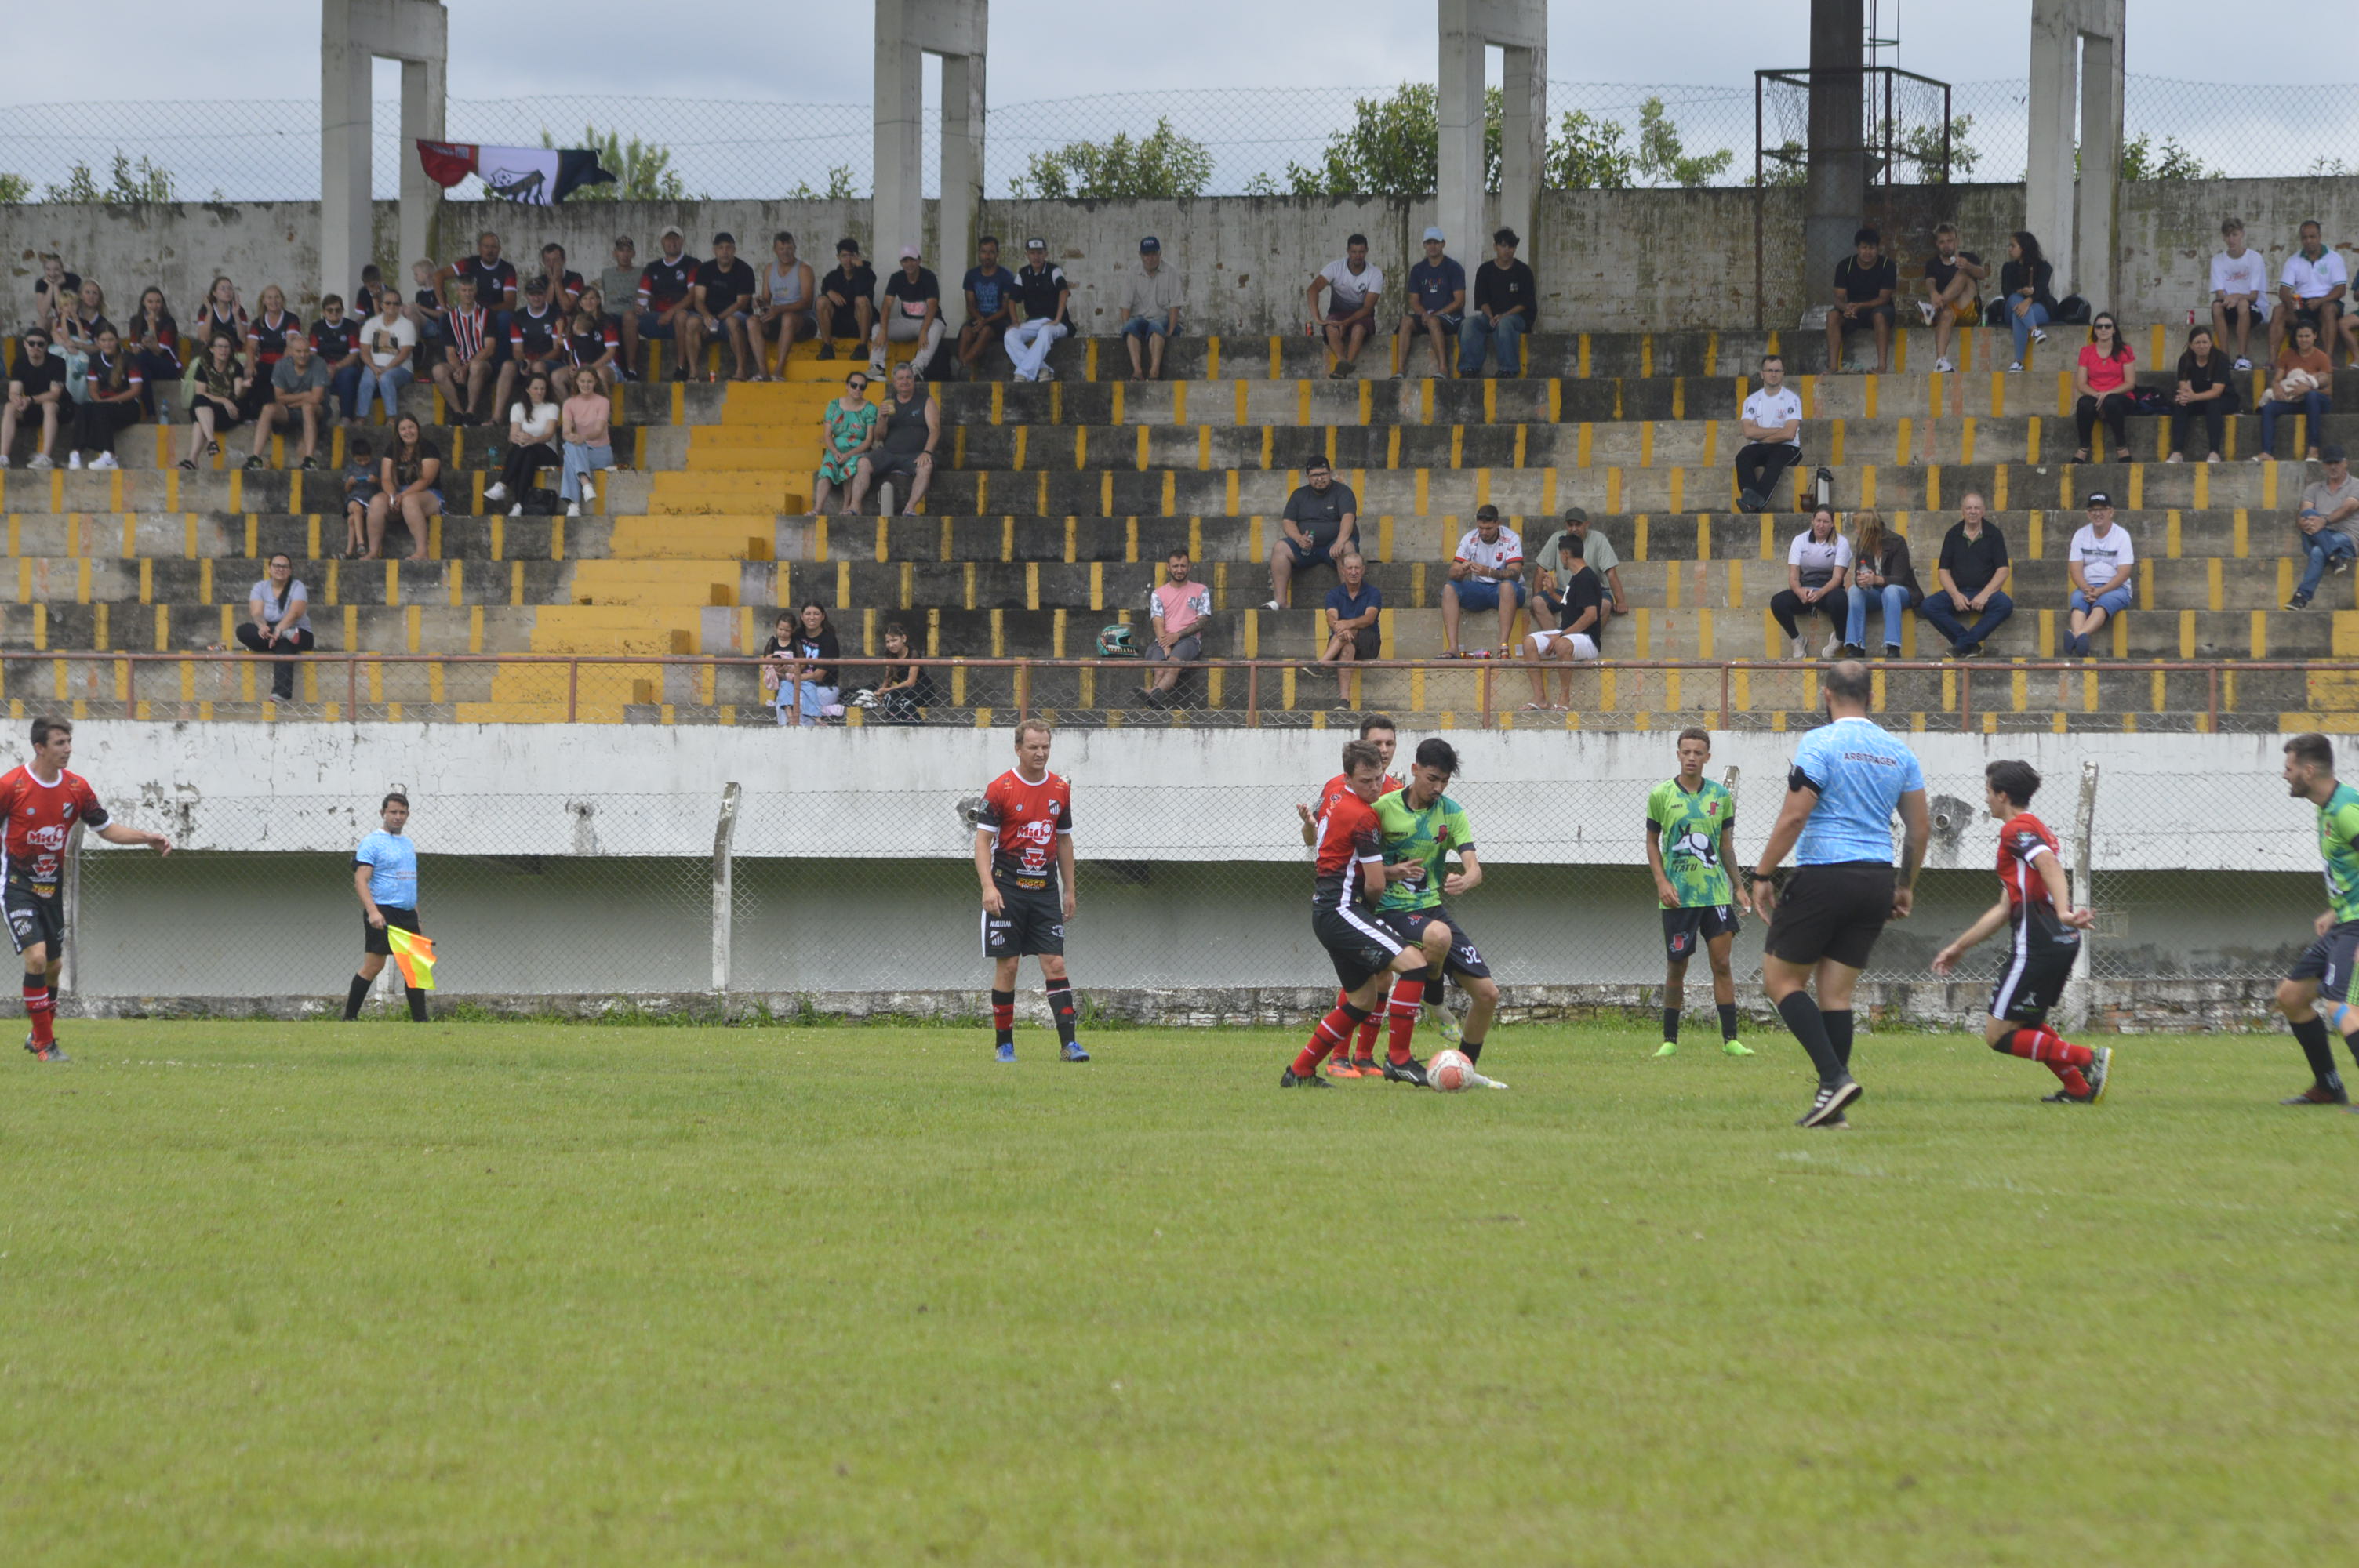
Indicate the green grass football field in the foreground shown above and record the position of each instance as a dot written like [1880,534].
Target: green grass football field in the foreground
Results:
[669,1296]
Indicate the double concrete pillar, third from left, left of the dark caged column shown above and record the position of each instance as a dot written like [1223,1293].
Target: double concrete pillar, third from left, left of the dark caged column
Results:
[1520,32]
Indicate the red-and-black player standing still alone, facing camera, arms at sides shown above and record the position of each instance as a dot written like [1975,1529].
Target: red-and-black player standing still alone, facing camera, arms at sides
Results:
[1025,862]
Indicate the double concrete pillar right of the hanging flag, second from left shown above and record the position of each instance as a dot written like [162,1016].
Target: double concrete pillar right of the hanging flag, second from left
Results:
[907,34]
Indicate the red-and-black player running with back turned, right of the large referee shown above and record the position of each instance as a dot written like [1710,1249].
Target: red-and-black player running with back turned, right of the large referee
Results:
[2037,907]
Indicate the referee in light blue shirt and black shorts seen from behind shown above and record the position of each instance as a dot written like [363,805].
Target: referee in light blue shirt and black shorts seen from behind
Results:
[1848,779]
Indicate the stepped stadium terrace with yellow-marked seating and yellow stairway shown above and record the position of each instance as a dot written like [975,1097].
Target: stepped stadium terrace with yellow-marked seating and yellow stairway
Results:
[1056,506]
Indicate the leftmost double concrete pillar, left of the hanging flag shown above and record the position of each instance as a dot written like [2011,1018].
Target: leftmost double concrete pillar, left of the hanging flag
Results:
[353,34]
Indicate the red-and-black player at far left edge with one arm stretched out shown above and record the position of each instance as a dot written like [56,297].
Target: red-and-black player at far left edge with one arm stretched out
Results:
[39,808]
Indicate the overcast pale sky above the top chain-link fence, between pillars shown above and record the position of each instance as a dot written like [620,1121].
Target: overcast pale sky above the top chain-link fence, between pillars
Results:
[1056,48]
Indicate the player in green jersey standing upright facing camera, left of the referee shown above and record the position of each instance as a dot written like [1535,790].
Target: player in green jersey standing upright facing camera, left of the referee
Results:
[1690,843]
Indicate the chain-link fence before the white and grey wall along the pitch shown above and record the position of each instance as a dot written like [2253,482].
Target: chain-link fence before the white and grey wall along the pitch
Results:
[1183,883]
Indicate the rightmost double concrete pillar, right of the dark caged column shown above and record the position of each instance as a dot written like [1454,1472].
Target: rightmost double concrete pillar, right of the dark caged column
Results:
[2077,58]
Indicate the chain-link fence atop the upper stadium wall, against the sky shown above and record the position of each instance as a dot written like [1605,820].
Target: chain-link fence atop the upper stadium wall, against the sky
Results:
[1244,138]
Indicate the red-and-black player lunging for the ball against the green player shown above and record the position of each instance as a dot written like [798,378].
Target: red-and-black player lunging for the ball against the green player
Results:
[1351,871]
